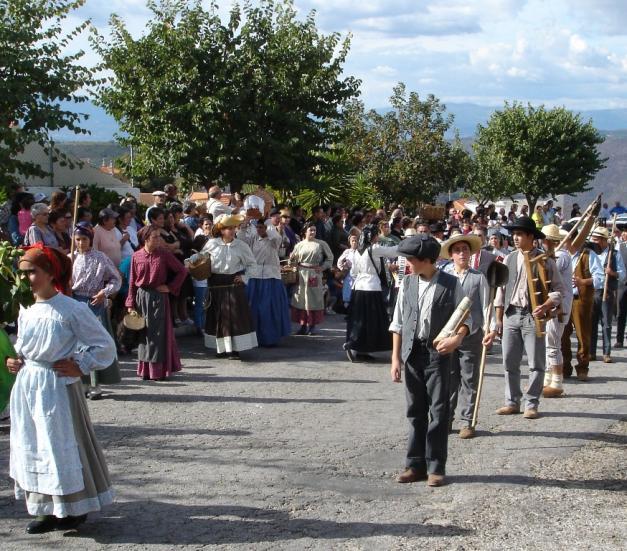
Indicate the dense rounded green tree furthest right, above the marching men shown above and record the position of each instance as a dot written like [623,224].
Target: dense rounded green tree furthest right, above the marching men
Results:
[536,152]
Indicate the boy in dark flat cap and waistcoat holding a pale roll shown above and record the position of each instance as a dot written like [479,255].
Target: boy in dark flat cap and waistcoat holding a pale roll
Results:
[427,299]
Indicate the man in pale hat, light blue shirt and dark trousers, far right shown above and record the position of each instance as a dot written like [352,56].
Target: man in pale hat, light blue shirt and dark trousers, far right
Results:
[603,310]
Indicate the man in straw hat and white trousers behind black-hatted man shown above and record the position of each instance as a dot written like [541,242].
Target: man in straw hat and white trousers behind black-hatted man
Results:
[554,375]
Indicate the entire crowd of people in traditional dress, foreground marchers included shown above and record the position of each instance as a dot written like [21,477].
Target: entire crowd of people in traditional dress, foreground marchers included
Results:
[398,280]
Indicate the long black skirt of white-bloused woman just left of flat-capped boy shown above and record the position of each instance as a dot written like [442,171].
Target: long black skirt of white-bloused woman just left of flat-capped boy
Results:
[368,325]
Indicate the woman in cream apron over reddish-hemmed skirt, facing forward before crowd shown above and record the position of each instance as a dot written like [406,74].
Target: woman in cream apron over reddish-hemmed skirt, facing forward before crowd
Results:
[312,256]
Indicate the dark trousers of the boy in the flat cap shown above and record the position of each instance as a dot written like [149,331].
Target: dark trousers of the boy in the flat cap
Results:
[427,392]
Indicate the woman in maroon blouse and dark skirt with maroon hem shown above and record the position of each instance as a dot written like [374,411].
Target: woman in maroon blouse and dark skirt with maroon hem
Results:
[155,273]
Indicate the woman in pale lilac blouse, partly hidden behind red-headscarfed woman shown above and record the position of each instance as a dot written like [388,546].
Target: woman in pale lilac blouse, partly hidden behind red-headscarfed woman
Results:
[94,281]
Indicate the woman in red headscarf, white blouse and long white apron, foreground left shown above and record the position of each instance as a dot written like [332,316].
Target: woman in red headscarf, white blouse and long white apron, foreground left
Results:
[56,462]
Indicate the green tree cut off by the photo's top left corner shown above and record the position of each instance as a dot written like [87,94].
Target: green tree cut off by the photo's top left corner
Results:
[35,76]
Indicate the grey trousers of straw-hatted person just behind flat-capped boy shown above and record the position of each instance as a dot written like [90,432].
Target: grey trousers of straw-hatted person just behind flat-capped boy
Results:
[465,377]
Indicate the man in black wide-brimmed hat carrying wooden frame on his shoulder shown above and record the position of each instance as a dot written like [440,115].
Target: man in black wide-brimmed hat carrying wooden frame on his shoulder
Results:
[515,320]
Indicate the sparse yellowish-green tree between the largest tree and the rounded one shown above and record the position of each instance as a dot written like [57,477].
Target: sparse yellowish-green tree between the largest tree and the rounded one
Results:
[404,153]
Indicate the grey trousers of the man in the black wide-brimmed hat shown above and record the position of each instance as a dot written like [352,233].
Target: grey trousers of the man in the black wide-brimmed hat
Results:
[519,334]
